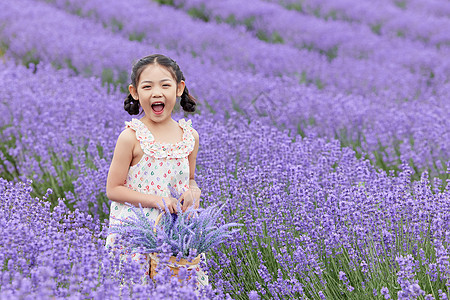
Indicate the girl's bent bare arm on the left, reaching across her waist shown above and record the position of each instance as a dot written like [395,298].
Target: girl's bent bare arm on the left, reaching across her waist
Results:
[118,171]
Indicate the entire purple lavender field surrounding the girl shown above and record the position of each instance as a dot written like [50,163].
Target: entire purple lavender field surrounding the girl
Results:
[324,126]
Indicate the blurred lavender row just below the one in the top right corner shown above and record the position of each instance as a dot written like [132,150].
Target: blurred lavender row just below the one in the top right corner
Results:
[335,38]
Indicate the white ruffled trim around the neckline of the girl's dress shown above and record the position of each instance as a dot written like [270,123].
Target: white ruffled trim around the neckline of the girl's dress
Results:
[156,149]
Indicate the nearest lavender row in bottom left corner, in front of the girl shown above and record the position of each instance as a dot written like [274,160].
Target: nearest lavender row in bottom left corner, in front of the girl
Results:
[60,254]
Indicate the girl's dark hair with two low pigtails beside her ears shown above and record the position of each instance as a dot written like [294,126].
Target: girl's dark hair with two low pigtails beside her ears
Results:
[188,102]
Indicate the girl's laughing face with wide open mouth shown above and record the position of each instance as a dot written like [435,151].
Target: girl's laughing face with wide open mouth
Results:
[157,90]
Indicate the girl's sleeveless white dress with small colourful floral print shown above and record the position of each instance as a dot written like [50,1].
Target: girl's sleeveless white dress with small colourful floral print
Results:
[162,165]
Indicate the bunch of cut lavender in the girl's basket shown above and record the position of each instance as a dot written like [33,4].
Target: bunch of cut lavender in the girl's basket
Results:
[186,233]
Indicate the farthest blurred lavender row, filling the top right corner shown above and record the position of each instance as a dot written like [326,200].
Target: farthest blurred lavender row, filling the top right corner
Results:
[421,21]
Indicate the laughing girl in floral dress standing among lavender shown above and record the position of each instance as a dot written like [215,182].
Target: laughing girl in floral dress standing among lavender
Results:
[154,152]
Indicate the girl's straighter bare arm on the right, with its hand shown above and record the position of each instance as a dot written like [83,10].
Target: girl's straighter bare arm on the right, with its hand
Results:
[193,194]
